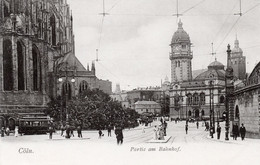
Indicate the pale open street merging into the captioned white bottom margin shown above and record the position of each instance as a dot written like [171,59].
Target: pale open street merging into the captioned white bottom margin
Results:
[196,146]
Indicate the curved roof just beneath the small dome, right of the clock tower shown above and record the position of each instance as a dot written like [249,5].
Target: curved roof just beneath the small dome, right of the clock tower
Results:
[211,74]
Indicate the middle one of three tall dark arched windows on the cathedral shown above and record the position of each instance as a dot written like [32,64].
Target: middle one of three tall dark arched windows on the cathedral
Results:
[21,65]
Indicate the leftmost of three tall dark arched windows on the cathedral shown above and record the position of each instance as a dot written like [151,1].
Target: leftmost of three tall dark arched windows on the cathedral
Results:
[7,65]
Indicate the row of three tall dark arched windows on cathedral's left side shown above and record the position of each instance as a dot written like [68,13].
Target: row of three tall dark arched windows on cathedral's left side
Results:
[8,67]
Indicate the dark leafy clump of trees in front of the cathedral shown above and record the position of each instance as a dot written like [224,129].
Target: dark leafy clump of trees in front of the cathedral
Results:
[94,109]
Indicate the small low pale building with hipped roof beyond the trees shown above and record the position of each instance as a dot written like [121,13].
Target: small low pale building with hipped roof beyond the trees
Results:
[147,107]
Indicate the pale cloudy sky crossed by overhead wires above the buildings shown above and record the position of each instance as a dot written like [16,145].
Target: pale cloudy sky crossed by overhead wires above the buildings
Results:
[133,40]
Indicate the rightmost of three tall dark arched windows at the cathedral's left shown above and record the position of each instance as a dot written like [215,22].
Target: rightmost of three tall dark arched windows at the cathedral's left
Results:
[36,69]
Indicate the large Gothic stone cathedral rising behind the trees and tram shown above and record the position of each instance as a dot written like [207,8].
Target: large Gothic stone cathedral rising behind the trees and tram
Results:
[37,58]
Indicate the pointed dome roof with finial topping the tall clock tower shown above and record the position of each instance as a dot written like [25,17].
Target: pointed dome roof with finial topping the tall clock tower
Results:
[180,35]
